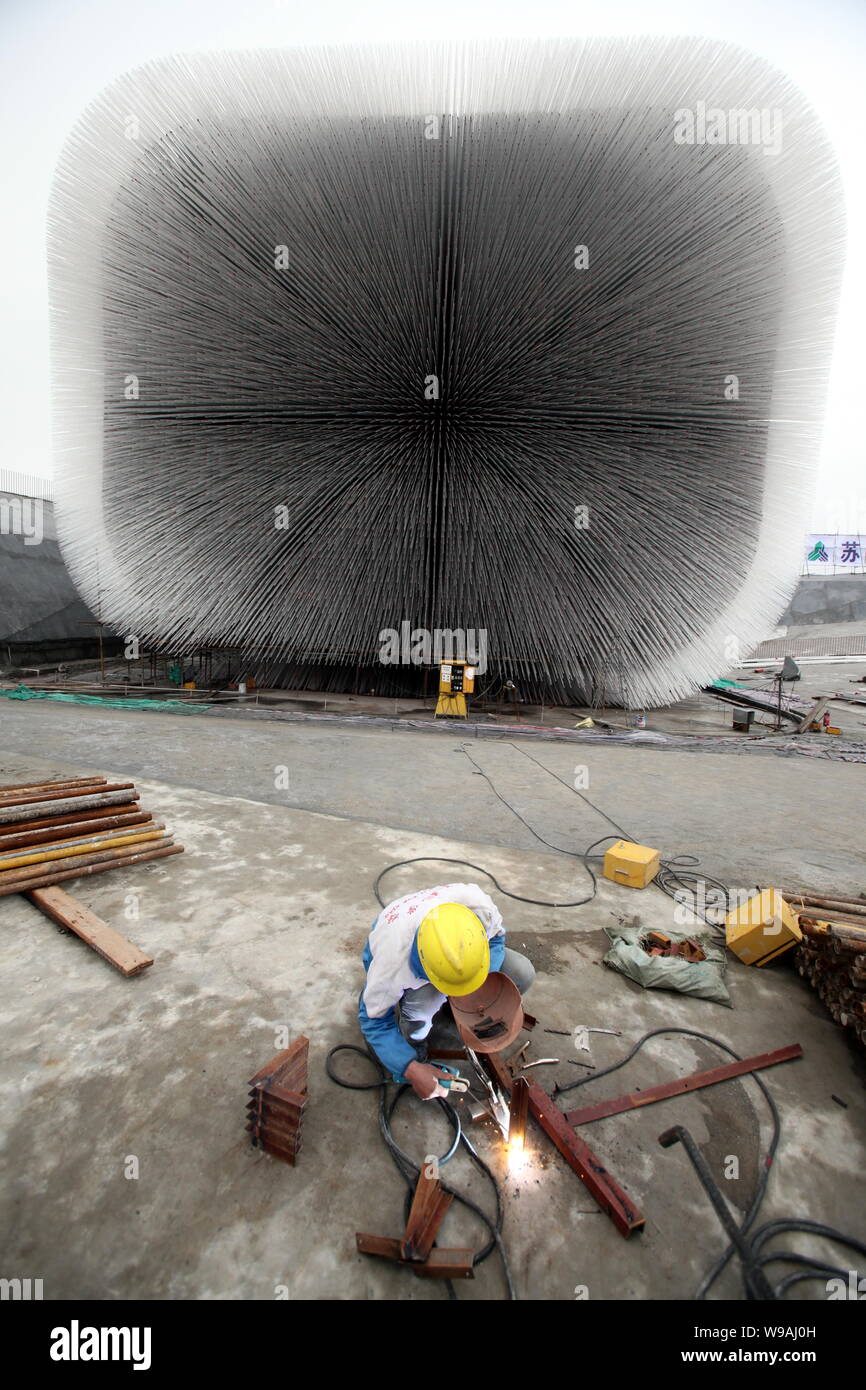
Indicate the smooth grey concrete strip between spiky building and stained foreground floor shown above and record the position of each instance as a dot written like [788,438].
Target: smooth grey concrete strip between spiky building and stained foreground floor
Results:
[794,822]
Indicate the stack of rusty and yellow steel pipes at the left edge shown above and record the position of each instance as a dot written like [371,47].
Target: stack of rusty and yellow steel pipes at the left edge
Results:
[58,831]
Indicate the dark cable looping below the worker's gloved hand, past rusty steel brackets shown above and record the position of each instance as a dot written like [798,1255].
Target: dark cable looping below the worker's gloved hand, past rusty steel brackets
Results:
[409,1170]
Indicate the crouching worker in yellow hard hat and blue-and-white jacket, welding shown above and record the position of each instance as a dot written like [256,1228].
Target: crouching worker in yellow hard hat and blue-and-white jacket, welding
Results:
[422,949]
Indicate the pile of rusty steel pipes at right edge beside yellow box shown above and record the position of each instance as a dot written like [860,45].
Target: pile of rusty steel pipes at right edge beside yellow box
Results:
[832,957]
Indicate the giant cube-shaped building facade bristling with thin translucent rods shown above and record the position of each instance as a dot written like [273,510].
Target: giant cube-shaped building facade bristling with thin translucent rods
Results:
[529,340]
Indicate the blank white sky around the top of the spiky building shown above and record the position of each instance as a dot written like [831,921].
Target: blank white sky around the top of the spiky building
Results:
[56,56]
